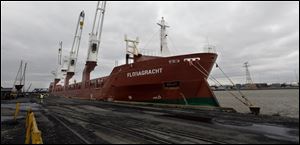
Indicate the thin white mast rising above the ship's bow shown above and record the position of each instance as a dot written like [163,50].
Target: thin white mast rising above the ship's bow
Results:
[163,36]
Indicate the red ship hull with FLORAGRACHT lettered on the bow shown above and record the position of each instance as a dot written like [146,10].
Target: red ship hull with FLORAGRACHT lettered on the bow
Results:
[174,80]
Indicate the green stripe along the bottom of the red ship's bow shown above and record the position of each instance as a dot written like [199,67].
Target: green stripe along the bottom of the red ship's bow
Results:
[190,101]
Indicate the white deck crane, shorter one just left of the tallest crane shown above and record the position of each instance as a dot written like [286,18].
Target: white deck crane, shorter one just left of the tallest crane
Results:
[74,49]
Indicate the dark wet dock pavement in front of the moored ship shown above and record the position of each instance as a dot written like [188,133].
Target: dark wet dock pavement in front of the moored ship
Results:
[65,120]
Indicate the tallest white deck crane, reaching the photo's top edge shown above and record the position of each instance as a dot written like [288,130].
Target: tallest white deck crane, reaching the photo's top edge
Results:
[94,42]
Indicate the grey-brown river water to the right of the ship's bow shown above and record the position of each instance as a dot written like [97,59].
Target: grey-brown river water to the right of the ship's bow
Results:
[283,102]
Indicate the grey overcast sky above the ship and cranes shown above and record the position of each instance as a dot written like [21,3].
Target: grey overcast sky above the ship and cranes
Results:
[266,34]
